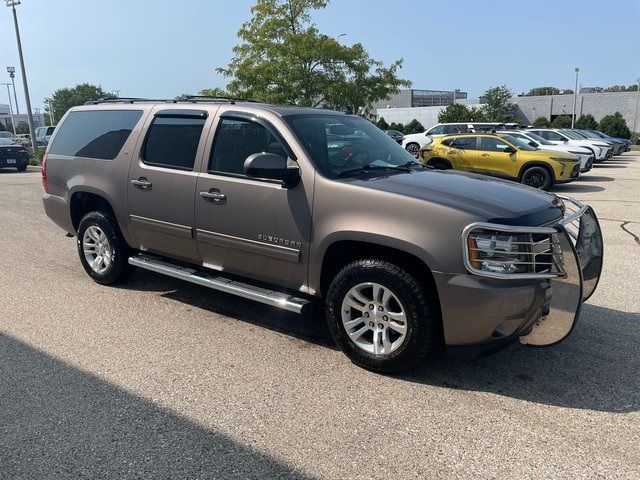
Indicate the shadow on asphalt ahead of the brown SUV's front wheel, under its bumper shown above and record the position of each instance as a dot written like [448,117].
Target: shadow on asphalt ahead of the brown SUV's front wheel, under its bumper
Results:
[596,368]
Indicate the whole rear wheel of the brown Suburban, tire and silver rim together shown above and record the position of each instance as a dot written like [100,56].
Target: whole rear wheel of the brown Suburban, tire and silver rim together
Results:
[103,252]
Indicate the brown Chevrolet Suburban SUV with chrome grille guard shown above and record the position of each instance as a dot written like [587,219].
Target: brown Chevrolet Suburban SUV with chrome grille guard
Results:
[287,205]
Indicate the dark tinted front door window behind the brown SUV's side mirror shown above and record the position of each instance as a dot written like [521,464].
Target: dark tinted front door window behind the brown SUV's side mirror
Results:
[238,139]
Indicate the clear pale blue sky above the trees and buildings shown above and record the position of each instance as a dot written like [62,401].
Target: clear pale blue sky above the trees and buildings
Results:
[164,48]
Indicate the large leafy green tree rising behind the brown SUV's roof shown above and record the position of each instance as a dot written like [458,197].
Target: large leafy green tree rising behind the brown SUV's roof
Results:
[283,58]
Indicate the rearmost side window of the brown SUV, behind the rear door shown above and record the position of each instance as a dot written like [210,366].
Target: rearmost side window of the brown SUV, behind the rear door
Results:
[95,134]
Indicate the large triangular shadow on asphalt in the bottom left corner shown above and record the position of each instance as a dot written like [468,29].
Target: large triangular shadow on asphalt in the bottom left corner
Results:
[60,422]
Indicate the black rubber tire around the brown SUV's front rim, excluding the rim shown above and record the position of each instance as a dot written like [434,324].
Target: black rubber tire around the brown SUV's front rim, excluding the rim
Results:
[419,309]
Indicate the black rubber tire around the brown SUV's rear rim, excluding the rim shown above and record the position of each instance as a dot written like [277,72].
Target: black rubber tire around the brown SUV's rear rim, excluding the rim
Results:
[119,269]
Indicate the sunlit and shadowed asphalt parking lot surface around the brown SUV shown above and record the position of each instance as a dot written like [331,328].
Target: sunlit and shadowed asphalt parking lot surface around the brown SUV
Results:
[160,378]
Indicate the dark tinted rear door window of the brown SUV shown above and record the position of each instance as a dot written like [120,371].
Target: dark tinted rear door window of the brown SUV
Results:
[172,142]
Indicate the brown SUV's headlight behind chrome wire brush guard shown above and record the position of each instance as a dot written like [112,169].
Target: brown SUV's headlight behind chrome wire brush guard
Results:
[512,252]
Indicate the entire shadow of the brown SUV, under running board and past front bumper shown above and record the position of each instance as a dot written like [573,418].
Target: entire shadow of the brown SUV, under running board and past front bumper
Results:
[596,368]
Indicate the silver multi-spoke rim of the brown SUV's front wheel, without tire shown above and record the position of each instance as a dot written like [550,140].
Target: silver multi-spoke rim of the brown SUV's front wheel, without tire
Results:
[374,319]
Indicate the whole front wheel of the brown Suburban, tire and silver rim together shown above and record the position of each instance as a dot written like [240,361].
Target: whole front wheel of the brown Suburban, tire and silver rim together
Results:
[380,316]
